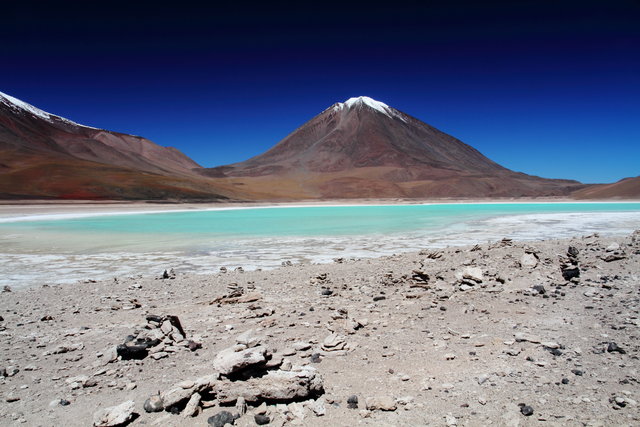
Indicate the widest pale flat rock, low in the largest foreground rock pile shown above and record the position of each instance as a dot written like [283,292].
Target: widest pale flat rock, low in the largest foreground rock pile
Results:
[281,386]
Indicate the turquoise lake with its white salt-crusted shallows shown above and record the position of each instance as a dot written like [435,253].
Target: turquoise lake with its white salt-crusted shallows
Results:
[66,248]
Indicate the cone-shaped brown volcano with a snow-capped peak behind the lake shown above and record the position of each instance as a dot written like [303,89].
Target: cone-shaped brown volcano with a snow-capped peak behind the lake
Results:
[364,148]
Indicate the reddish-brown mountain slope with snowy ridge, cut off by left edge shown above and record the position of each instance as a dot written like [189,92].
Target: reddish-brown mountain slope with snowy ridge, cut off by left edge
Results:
[47,156]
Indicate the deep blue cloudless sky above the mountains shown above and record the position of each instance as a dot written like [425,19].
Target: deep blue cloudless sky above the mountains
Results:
[550,88]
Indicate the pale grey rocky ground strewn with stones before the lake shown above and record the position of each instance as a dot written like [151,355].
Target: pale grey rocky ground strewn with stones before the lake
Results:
[505,333]
